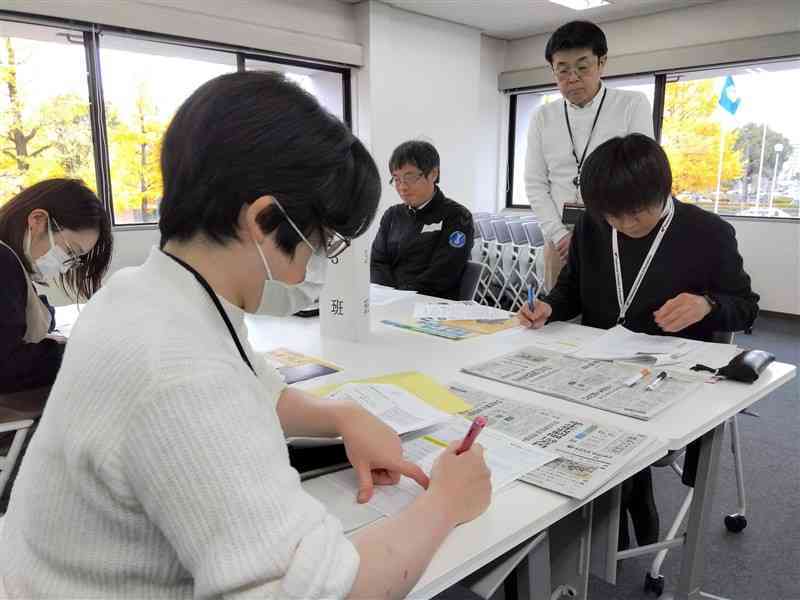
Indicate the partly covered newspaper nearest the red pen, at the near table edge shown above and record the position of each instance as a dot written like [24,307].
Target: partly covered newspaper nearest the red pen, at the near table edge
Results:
[590,453]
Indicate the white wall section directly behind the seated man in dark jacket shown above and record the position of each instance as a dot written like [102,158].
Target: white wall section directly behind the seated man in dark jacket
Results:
[430,79]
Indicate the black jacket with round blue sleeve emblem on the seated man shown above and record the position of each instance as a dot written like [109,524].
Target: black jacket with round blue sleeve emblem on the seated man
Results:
[424,250]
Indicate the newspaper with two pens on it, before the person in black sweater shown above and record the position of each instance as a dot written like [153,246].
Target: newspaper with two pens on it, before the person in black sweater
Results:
[600,384]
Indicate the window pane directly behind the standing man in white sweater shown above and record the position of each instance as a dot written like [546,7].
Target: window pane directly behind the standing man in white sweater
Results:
[525,105]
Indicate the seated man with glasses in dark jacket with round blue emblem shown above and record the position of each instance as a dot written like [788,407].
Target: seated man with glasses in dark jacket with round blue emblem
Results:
[424,243]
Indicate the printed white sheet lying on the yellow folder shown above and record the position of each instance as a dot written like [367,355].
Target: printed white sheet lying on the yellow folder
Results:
[398,408]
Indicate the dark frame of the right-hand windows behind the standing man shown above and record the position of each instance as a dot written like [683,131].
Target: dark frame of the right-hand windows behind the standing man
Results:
[660,80]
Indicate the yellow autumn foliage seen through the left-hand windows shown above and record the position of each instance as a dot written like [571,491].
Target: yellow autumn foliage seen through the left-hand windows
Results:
[54,139]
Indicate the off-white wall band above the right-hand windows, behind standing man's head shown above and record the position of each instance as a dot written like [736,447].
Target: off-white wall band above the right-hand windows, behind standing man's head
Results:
[696,25]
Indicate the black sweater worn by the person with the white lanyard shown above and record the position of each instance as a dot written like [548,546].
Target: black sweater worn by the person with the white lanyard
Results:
[698,255]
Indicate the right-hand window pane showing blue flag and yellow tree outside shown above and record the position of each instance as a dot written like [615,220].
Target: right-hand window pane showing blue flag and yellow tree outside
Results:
[743,161]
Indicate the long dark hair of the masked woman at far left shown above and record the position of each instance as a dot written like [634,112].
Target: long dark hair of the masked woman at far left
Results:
[73,206]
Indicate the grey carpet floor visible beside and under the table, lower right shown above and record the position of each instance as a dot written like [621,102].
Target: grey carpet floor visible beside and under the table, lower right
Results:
[763,561]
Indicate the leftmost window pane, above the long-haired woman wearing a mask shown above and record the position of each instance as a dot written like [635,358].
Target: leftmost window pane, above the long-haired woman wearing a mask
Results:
[45,124]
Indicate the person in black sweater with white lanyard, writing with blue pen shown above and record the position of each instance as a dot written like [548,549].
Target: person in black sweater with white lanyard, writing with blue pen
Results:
[695,284]
